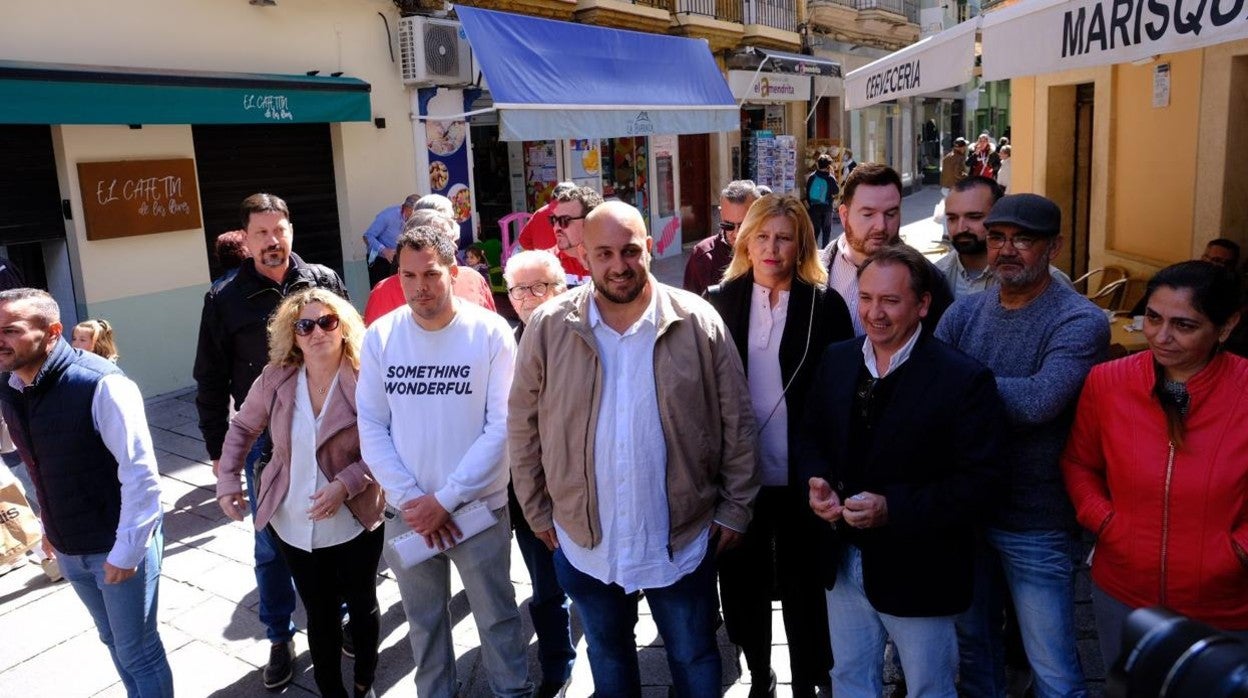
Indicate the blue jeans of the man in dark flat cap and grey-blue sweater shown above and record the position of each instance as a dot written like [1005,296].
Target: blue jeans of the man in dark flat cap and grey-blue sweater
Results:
[1039,570]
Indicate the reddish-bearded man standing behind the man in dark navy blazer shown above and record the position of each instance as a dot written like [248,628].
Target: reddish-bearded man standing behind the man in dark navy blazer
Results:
[870,214]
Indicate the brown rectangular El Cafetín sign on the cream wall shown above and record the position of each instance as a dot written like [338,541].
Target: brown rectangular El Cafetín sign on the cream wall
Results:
[132,198]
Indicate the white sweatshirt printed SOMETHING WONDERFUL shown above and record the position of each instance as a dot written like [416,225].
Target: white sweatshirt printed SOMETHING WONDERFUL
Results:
[432,406]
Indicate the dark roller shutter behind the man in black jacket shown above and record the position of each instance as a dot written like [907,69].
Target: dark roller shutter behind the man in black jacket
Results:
[290,160]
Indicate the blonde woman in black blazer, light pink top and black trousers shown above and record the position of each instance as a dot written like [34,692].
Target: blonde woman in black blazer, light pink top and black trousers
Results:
[776,302]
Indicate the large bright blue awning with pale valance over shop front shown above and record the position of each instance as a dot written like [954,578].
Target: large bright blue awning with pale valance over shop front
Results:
[563,81]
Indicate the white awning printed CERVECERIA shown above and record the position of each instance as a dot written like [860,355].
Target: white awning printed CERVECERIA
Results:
[938,63]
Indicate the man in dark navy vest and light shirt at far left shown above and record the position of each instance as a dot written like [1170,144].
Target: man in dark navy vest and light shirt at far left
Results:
[80,428]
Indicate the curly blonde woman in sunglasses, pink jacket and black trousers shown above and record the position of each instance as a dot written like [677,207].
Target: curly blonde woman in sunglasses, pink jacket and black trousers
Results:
[315,494]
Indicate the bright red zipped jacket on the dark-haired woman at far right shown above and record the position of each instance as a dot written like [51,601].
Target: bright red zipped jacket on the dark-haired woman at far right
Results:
[1166,518]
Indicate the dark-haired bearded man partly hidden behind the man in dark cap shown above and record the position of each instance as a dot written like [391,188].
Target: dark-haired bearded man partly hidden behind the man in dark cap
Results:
[967,268]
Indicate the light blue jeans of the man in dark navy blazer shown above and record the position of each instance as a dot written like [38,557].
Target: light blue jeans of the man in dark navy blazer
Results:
[928,646]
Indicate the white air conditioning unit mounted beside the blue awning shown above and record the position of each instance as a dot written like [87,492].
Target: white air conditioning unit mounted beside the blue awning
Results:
[434,52]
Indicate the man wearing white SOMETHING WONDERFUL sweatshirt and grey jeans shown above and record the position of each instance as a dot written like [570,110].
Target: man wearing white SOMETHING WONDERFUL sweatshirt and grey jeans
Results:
[432,411]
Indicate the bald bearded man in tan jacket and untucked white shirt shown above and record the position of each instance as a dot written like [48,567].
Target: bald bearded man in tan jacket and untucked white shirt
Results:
[635,484]
